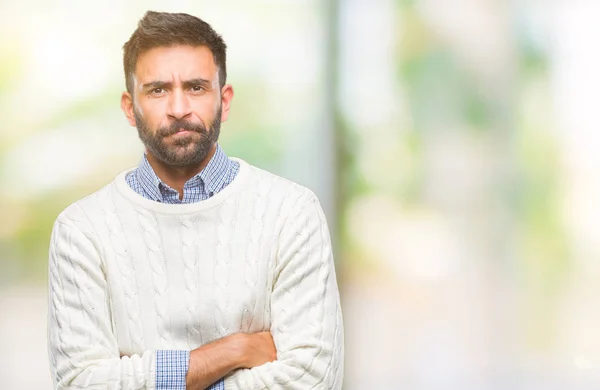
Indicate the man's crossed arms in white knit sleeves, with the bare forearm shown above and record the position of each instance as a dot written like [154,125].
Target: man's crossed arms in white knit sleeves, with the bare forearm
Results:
[304,348]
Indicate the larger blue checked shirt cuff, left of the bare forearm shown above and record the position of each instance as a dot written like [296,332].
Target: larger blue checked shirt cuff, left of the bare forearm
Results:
[171,369]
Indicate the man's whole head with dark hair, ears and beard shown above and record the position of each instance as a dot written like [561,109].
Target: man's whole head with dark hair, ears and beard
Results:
[175,74]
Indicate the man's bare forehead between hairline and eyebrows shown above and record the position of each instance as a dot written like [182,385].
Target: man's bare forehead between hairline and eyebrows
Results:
[167,63]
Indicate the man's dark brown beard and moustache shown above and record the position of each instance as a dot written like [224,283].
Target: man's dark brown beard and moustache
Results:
[190,149]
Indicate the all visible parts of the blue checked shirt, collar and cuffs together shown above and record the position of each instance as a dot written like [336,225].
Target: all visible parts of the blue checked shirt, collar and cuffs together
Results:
[172,365]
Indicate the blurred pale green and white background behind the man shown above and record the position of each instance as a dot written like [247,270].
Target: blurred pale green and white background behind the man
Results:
[453,144]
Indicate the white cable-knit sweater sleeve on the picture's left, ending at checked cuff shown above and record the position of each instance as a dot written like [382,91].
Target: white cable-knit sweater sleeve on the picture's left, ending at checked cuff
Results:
[82,348]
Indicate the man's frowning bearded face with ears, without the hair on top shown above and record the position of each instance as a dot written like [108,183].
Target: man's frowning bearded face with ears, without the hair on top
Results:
[177,105]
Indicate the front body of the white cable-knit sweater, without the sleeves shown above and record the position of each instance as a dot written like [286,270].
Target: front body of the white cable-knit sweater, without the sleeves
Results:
[177,280]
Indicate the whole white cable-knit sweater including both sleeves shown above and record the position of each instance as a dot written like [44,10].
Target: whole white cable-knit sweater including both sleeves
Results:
[129,276]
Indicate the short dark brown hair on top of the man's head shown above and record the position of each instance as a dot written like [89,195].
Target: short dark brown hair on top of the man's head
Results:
[163,29]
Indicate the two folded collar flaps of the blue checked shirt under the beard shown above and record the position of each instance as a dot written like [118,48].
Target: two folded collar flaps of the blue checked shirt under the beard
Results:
[212,177]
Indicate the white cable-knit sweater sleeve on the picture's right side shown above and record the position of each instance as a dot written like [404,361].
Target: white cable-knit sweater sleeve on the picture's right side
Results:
[306,318]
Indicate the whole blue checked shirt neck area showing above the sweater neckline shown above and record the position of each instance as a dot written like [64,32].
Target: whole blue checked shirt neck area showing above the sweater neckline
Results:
[218,174]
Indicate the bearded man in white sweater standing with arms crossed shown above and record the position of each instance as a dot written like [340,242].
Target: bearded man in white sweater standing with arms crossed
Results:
[194,269]
